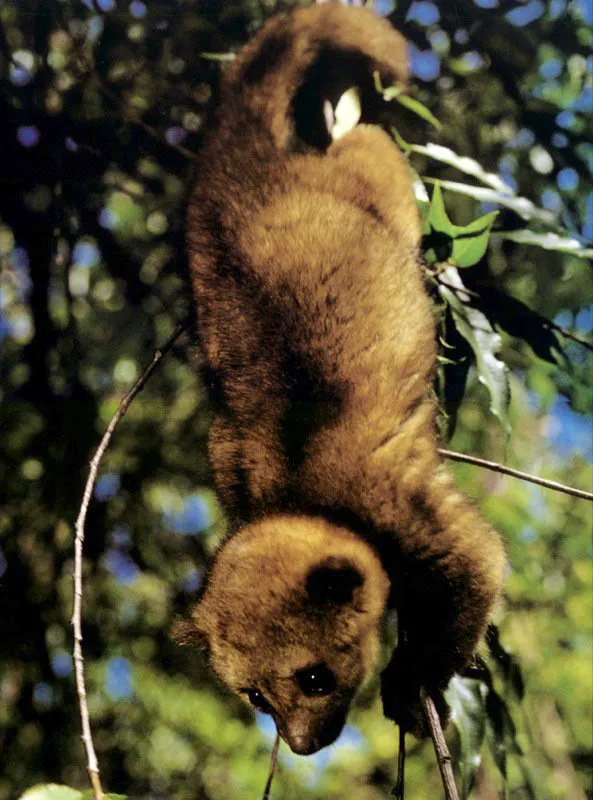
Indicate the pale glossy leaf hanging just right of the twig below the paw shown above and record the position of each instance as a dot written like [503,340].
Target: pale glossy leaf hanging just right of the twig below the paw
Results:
[468,714]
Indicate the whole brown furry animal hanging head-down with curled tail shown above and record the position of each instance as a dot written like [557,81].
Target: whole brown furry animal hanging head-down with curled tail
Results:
[319,350]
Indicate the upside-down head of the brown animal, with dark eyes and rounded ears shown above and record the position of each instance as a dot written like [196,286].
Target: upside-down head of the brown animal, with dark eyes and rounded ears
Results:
[291,619]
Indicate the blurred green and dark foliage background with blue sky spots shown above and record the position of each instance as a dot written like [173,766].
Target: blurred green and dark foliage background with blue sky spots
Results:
[101,106]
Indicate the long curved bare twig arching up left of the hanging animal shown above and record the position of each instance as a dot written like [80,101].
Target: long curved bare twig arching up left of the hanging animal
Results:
[92,763]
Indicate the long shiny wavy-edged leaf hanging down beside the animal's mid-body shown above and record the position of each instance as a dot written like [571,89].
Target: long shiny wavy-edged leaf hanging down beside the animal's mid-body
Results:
[484,341]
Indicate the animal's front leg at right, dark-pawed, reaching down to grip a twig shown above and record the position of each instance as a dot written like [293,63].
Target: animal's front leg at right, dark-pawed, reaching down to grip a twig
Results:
[452,567]
